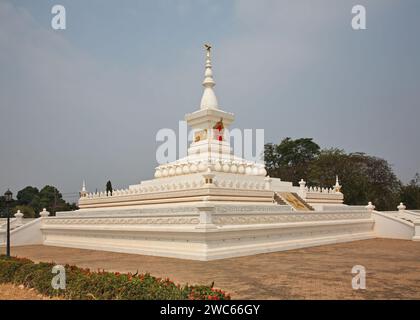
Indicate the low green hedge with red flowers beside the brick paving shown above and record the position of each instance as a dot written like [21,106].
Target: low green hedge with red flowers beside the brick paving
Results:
[100,285]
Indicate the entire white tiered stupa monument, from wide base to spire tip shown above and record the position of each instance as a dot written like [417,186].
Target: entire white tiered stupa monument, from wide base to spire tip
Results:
[212,205]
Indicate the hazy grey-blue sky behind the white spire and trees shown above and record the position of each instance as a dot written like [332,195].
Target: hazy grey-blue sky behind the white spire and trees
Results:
[86,102]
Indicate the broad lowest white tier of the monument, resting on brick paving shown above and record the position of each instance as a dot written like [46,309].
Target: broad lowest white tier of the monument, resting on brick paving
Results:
[204,230]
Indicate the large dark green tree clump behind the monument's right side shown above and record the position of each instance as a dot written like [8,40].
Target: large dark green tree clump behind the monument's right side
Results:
[364,178]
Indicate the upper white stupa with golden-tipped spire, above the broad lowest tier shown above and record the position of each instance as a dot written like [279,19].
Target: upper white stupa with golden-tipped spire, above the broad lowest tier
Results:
[210,170]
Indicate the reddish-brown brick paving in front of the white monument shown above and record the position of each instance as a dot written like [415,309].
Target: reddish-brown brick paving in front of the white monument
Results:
[393,269]
